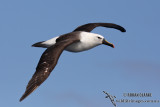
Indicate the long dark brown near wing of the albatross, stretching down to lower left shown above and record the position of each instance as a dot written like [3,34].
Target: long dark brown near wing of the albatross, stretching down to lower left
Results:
[46,64]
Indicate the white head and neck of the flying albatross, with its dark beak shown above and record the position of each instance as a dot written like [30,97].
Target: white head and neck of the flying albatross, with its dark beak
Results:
[92,39]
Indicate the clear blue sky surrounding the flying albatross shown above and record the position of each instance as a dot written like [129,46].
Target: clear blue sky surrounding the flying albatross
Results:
[79,78]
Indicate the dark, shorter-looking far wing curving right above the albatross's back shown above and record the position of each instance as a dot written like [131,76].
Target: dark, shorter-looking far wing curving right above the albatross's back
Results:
[90,26]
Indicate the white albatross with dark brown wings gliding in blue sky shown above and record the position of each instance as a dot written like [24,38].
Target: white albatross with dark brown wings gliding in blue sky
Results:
[78,40]
